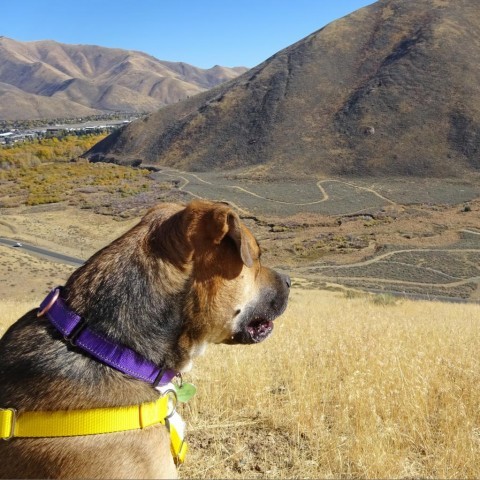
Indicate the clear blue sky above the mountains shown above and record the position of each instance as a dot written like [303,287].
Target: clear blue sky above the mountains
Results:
[202,33]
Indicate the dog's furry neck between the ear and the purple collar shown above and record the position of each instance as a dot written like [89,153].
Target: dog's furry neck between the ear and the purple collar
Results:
[141,307]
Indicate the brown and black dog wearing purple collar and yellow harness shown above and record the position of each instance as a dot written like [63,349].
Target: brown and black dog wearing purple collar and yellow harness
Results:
[182,278]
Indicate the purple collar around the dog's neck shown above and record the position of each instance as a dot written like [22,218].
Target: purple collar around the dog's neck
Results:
[74,329]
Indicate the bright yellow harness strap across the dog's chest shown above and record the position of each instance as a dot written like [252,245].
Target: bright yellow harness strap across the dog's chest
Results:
[94,422]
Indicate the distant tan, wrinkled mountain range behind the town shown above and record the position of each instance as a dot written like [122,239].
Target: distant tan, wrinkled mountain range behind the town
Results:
[47,79]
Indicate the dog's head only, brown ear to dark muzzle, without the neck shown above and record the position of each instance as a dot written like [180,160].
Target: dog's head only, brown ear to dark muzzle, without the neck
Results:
[233,298]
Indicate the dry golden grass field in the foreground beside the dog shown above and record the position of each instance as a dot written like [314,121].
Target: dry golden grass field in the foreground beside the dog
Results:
[363,387]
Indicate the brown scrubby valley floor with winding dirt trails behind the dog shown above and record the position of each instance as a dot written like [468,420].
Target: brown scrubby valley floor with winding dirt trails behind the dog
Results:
[414,237]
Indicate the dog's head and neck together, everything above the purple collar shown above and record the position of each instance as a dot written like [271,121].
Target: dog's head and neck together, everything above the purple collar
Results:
[185,275]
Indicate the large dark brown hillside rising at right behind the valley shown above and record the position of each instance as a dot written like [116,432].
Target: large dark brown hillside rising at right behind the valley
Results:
[391,89]
